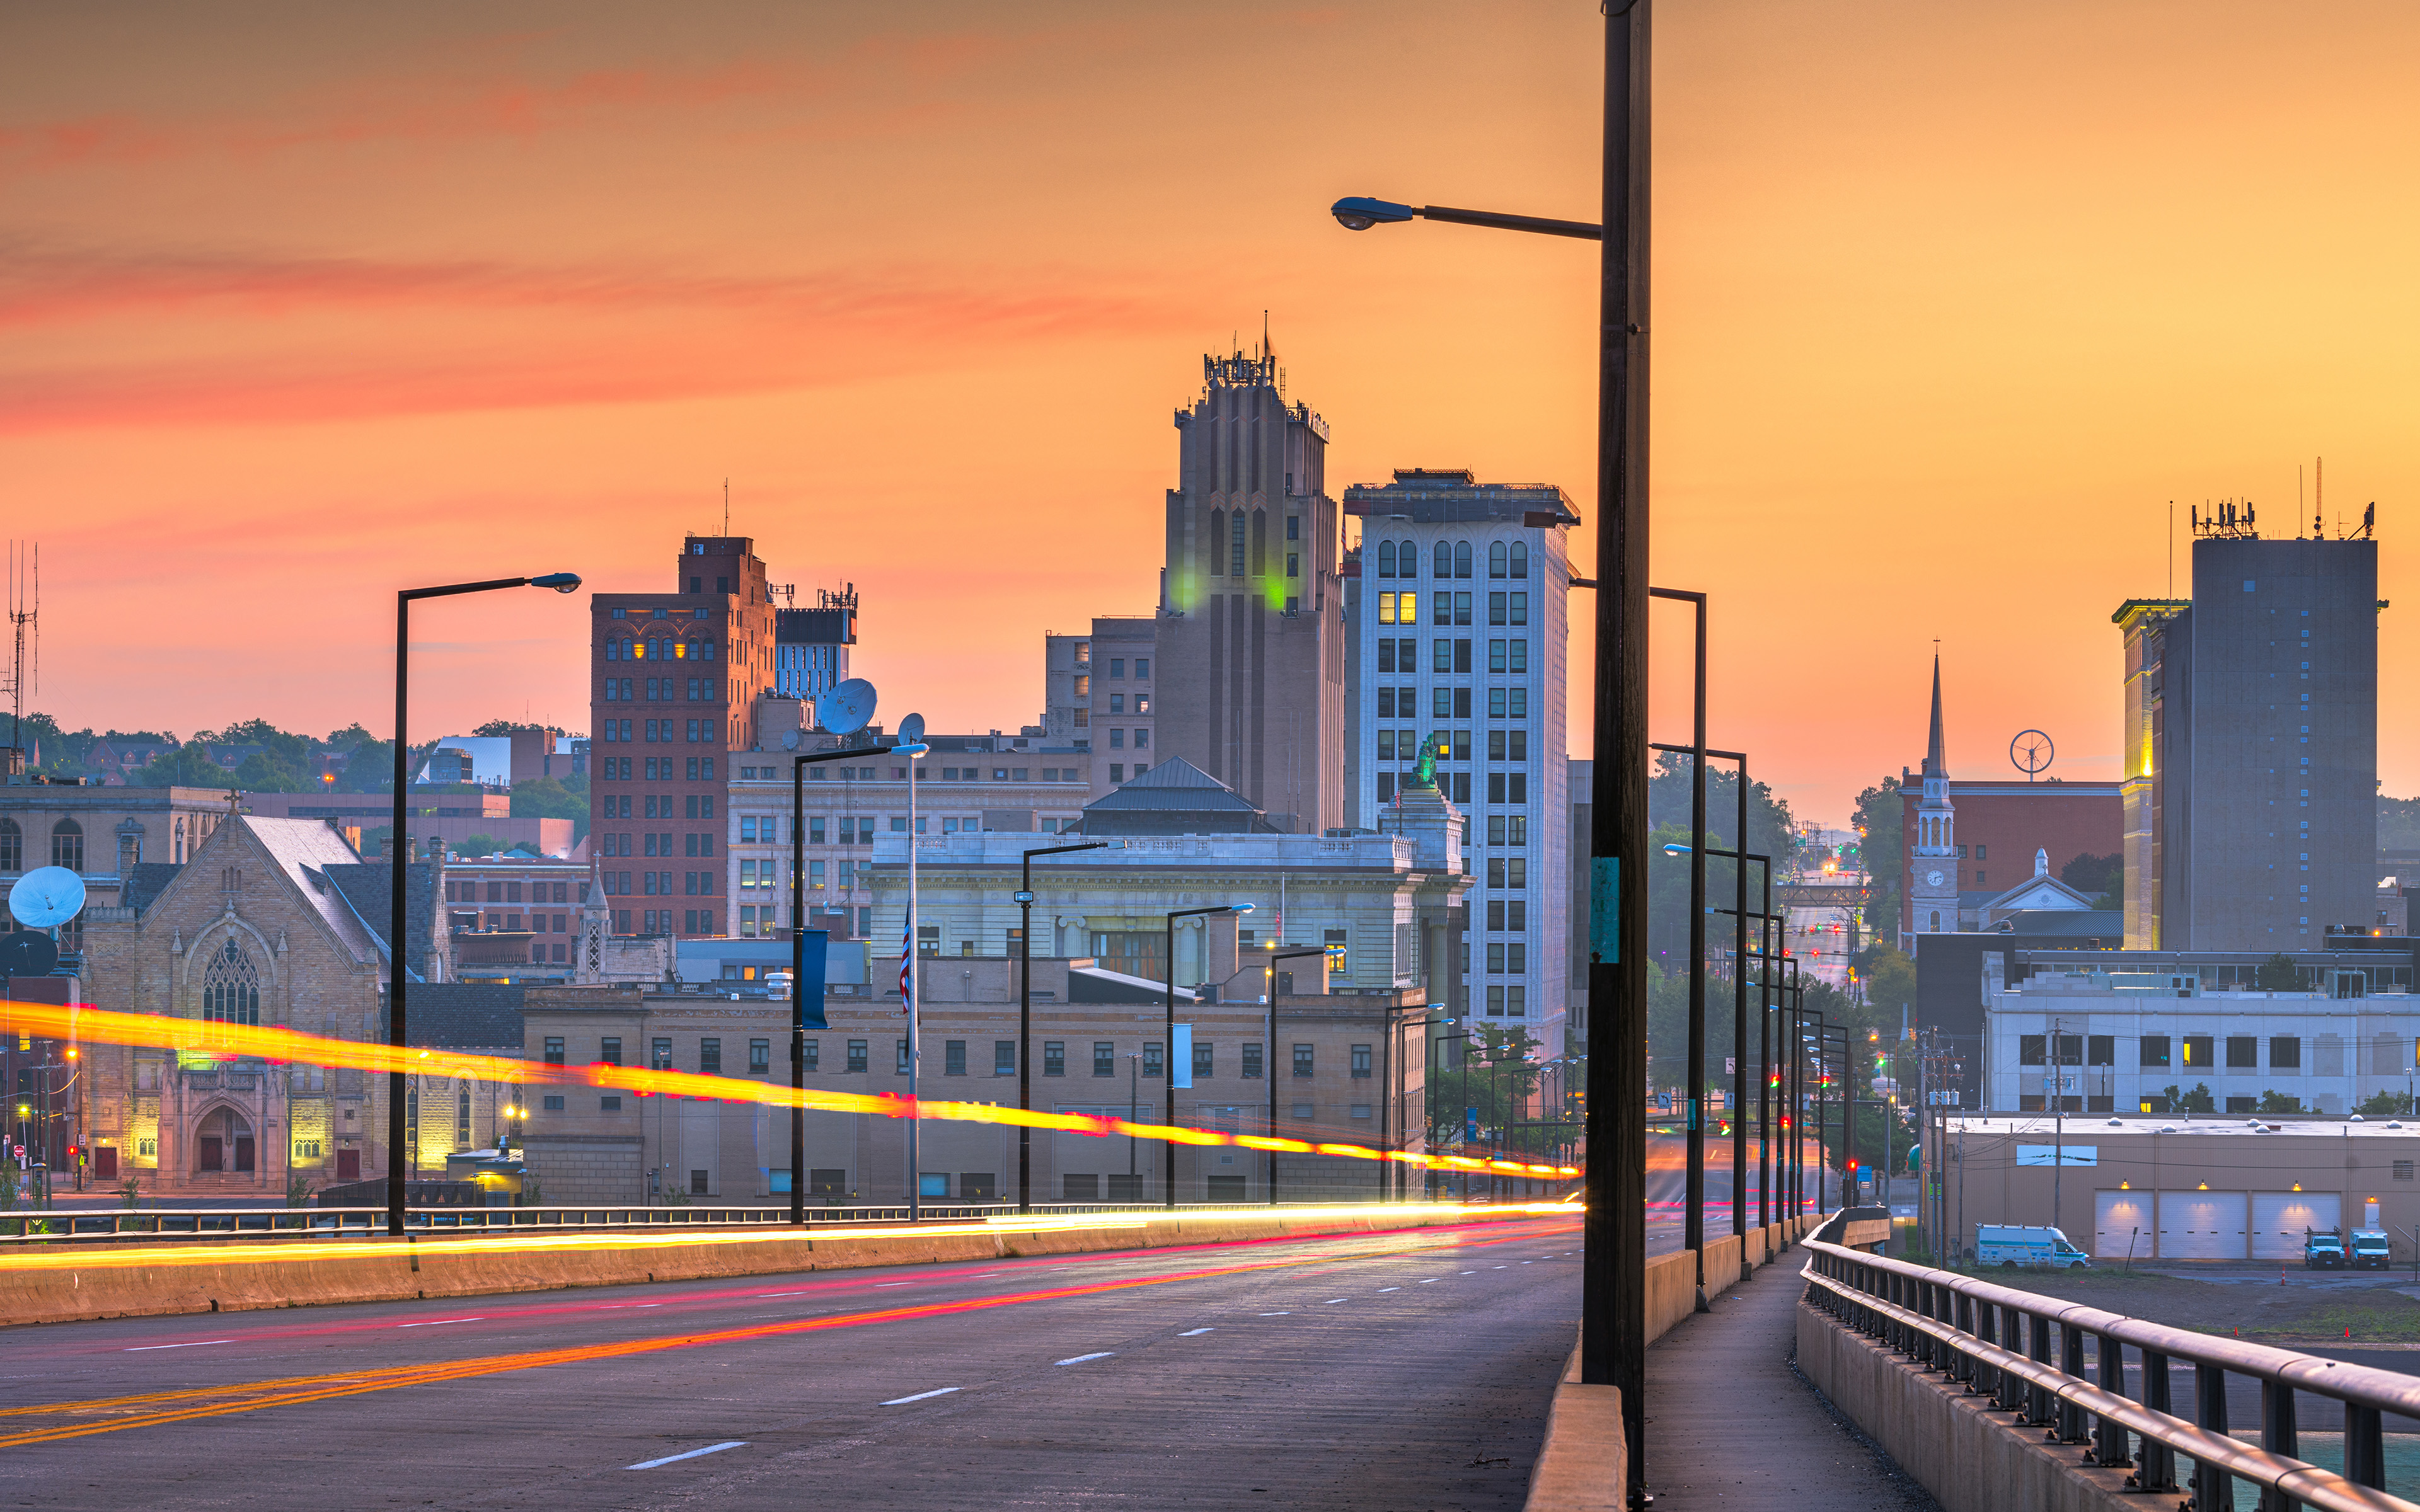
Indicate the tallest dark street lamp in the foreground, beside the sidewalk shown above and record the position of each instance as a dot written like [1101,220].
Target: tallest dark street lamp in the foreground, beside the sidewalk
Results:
[1613,1291]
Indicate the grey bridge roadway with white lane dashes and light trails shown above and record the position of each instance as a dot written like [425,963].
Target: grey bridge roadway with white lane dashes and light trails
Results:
[1383,1370]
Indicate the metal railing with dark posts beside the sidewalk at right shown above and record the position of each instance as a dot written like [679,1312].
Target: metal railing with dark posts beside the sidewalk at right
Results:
[2000,1344]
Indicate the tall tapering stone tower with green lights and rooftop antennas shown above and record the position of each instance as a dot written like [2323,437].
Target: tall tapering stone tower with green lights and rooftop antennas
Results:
[1252,645]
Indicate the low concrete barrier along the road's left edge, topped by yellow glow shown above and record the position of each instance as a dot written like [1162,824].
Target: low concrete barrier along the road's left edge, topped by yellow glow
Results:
[81,1286]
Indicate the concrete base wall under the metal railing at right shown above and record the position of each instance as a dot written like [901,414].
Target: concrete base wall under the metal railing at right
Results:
[1947,1441]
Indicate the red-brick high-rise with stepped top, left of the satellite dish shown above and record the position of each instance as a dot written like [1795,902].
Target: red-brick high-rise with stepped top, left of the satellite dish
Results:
[674,691]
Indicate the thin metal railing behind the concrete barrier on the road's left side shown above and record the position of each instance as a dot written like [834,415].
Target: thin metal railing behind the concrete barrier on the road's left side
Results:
[369,1223]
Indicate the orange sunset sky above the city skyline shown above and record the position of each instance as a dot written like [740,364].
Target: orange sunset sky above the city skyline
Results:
[306,304]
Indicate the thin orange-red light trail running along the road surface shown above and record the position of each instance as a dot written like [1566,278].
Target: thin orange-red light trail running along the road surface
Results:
[159,1409]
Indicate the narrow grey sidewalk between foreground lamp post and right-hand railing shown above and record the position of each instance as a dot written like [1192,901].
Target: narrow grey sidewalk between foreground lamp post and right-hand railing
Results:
[1732,1424]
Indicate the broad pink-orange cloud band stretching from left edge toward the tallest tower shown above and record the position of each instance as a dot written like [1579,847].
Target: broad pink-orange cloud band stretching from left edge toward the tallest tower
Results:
[316,340]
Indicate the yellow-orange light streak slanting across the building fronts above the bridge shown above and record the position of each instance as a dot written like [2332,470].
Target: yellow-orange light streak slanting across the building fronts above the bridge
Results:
[287,1046]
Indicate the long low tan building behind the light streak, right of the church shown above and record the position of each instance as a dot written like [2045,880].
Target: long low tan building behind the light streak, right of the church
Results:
[1349,1070]
